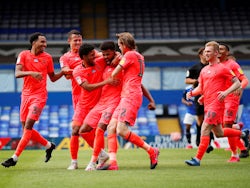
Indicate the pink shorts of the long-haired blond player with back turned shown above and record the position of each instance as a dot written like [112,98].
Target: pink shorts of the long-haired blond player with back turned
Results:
[127,110]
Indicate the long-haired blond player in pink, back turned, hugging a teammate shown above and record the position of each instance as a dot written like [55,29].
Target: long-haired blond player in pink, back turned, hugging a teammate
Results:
[124,116]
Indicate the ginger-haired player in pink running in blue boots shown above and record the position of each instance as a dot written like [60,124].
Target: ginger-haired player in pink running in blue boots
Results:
[216,75]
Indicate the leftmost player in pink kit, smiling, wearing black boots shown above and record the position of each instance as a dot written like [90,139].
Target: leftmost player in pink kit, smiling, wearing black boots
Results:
[33,66]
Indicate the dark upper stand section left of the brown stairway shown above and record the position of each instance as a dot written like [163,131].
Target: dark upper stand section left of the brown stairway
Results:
[20,18]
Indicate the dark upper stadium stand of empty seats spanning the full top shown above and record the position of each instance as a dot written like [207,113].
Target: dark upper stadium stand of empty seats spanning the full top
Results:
[173,19]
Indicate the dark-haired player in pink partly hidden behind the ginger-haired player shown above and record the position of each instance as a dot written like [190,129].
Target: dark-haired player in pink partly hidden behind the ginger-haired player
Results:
[232,102]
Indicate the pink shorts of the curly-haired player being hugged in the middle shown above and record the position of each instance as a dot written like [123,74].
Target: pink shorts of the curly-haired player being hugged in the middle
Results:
[100,114]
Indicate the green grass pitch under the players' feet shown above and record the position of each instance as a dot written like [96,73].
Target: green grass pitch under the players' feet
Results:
[134,171]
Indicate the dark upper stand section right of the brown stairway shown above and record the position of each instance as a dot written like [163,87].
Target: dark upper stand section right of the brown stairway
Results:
[179,19]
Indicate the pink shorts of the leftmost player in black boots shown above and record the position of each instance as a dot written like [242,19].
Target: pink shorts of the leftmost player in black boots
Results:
[31,107]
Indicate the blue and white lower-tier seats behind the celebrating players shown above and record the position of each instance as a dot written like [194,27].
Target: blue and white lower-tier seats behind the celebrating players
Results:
[55,122]
